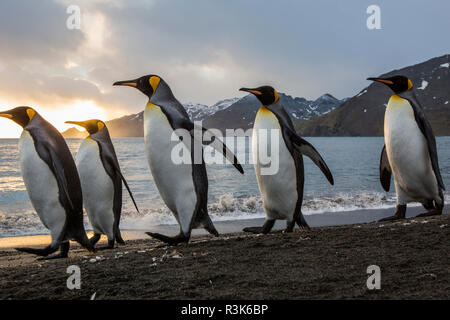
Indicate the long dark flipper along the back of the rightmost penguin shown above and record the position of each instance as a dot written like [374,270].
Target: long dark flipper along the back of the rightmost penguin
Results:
[427,131]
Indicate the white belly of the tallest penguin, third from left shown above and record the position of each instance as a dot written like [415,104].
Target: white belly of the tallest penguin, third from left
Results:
[174,180]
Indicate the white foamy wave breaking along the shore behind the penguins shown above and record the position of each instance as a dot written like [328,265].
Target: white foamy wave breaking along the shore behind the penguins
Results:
[225,208]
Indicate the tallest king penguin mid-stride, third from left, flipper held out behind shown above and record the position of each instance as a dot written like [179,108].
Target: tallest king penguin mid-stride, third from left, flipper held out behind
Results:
[182,186]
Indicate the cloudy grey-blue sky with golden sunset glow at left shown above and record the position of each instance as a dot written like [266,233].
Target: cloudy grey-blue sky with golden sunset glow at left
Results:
[205,49]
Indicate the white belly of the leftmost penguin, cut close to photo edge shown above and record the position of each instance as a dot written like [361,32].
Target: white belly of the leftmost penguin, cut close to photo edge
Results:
[41,185]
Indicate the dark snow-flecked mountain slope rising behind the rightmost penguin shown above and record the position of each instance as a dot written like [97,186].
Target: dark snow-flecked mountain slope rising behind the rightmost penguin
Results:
[363,114]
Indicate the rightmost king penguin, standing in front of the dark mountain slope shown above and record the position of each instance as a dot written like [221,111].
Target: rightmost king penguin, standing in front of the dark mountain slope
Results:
[410,152]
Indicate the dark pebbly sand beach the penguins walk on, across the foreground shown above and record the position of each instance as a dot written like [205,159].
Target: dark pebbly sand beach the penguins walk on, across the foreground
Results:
[325,262]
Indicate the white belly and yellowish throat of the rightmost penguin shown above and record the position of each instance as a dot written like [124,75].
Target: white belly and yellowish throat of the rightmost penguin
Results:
[407,152]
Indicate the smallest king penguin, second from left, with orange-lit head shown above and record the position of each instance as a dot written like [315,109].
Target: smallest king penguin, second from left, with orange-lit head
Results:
[101,181]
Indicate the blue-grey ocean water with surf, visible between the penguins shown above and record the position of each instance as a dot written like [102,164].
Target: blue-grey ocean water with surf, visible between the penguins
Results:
[352,160]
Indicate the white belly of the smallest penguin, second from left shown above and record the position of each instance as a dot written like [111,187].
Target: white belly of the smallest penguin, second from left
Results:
[97,186]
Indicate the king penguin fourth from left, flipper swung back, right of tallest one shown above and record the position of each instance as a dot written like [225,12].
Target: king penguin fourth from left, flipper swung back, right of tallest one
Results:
[281,190]
